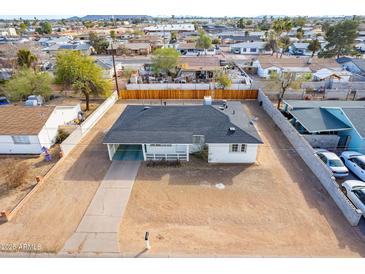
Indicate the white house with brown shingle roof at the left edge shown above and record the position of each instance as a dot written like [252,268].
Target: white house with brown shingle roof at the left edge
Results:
[25,130]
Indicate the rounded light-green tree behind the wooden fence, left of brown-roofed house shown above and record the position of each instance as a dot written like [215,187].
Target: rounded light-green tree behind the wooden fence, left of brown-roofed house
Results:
[165,60]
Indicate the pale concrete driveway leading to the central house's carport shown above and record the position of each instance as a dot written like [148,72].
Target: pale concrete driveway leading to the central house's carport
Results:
[97,233]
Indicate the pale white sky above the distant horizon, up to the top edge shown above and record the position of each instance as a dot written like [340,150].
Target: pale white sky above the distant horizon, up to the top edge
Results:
[214,8]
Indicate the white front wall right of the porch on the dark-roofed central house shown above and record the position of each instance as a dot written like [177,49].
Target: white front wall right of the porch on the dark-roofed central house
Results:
[220,153]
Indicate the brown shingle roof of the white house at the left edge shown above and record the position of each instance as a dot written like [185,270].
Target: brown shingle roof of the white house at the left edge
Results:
[20,120]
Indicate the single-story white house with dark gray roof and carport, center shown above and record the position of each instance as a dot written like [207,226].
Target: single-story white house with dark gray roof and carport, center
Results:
[173,132]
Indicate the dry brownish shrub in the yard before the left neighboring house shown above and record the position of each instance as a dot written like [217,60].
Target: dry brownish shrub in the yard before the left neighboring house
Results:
[16,174]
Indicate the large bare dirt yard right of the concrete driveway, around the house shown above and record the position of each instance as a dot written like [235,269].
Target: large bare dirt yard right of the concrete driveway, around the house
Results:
[275,207]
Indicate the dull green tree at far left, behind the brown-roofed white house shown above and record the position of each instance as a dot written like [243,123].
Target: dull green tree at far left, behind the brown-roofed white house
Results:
[27,82]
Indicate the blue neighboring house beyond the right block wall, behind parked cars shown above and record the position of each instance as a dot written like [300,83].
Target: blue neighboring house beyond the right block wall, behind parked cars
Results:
[346,119]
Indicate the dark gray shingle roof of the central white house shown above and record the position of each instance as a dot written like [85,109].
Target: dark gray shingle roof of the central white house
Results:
[178,124]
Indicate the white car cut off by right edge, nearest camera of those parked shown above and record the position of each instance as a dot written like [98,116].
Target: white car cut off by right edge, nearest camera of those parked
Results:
[355,191]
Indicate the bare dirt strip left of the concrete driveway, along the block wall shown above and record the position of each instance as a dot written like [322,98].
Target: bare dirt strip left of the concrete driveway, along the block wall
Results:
[51,216]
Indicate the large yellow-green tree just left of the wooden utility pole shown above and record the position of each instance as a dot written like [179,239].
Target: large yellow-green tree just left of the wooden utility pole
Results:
[78,71]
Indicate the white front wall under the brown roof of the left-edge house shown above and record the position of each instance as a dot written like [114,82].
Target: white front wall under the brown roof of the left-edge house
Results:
[7,145]
